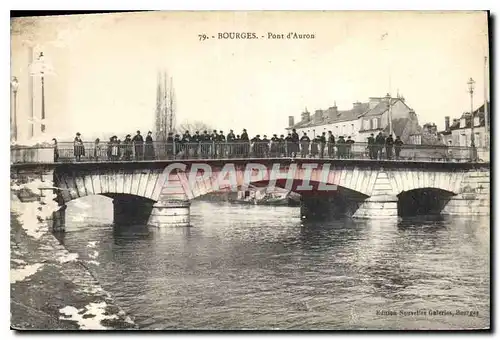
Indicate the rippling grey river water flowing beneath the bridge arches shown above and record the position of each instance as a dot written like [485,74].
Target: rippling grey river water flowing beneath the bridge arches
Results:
[258,267]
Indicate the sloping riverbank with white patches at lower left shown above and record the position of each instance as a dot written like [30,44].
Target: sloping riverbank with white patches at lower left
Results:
[50,287]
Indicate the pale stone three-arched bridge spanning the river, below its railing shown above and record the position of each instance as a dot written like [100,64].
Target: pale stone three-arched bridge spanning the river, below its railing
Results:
[159,192]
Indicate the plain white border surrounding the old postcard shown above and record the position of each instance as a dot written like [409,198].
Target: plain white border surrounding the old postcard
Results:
[184,5]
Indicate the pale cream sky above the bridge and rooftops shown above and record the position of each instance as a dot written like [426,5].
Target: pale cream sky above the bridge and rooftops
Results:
[105,67]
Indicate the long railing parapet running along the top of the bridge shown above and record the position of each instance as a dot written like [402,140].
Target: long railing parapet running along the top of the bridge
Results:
[90,152]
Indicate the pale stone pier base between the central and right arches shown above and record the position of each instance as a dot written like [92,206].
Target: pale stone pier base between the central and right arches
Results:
[378,207]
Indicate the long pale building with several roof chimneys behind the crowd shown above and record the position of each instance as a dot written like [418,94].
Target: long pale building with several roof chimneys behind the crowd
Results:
[362,120]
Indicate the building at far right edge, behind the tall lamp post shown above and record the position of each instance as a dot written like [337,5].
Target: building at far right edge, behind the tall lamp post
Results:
[459,132]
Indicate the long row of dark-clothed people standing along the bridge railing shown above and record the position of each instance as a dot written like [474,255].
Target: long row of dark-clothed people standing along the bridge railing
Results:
[218,145]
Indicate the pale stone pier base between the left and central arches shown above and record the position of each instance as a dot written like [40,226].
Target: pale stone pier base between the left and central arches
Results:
[170,214]
